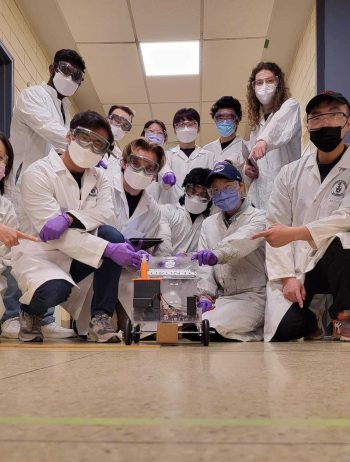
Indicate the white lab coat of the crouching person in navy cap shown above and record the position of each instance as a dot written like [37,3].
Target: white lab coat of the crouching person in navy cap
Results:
[239,278]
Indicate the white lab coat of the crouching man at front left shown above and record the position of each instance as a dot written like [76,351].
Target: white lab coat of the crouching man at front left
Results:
[47,190]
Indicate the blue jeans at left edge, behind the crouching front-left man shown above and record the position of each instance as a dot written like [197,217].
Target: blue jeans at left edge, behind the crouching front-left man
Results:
[12,303]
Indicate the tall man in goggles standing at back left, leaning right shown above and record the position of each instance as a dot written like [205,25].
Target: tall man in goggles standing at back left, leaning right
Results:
[40,121]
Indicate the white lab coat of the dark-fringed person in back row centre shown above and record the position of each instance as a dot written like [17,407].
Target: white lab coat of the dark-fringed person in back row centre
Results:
[180,164]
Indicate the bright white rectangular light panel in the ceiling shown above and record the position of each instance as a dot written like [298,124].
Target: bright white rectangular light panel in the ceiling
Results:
[171,58]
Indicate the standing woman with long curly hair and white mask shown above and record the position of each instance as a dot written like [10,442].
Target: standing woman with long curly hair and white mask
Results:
[275,140]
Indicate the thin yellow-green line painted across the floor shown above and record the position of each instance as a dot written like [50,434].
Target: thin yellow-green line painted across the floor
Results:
[288,422]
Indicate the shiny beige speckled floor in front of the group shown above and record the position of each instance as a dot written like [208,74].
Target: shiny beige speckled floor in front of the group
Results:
[228,402]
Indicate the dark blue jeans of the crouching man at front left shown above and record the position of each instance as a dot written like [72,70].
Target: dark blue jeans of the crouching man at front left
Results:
[105,283]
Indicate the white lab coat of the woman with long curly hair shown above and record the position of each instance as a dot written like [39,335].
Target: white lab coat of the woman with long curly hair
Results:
[282,133]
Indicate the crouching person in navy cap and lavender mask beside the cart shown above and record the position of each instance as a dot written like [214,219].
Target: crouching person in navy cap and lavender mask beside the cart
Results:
[232,266]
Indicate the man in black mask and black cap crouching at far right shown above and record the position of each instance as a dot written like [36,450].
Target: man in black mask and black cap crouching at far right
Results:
[308,250]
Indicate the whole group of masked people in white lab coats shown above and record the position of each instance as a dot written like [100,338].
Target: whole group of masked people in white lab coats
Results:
[269,229]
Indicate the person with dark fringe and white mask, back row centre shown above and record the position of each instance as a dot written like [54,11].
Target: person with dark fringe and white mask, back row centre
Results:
[185,156]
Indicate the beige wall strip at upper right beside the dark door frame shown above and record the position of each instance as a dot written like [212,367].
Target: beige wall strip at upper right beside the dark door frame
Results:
[302,77]
